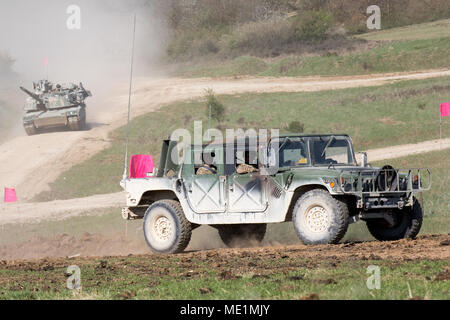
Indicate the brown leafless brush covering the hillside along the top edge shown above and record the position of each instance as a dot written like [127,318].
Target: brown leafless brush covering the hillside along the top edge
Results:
[271,28]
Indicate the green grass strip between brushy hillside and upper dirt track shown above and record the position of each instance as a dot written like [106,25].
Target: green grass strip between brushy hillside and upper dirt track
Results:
[394,56]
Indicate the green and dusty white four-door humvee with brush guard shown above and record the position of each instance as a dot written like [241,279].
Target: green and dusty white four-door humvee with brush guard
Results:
[314,182]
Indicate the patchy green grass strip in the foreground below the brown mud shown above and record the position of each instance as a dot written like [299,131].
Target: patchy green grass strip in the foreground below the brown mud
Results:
[169,278]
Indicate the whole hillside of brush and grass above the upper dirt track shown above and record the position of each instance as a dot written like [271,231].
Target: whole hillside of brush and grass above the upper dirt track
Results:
[298,37]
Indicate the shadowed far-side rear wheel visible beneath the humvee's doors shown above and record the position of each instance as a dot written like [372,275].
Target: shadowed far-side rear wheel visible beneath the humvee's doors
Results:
[244,235]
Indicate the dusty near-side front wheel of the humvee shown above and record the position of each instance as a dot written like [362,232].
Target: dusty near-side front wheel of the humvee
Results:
[319,218]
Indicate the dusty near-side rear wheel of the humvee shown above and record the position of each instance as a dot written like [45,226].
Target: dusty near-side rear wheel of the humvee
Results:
[166,229]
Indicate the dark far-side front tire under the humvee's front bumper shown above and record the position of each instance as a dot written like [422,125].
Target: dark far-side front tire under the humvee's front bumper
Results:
[407,224]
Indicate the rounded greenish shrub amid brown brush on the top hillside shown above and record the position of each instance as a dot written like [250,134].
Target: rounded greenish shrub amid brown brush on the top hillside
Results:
[312,25]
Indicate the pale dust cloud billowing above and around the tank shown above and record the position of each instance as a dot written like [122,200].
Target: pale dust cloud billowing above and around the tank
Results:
[97,54]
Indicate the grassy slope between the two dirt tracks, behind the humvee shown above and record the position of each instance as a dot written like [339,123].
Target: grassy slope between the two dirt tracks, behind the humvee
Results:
[404,112]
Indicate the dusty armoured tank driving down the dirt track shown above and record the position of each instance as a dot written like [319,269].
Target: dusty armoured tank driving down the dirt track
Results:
[55,106]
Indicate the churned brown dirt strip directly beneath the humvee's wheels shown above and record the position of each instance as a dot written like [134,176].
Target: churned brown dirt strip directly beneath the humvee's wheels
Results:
[427,247]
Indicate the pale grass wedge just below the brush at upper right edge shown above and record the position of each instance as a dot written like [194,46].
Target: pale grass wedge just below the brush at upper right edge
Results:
[429,30]
